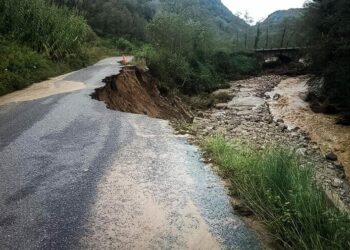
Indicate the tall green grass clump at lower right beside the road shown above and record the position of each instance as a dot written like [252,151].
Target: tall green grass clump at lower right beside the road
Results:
[282,192]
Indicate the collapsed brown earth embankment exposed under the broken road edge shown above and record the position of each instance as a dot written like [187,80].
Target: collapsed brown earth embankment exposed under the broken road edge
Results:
[136,91]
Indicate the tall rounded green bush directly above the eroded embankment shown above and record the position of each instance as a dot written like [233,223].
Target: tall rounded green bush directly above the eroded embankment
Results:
[178,55]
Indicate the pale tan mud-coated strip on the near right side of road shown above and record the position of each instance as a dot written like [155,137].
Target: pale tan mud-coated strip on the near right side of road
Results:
[159,195]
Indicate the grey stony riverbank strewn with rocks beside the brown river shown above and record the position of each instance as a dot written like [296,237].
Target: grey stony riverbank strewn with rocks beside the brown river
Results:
[247,117]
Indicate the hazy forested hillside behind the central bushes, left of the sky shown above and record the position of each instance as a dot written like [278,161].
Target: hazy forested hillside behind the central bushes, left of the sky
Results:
[122,17]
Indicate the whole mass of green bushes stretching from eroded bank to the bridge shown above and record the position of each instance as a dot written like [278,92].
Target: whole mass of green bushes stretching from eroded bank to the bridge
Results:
[186,55]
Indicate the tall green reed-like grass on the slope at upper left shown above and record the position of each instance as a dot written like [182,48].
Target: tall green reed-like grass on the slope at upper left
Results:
[56,31]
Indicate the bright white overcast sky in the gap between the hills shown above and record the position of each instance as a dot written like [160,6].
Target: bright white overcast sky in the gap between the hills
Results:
[259,9]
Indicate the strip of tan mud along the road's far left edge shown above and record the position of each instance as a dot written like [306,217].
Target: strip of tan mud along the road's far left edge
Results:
[50,87]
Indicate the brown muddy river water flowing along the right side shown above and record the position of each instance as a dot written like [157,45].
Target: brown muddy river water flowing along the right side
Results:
[322,128]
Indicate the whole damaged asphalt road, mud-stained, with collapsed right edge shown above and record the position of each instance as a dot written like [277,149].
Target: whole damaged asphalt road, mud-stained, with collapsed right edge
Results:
[75,175]
